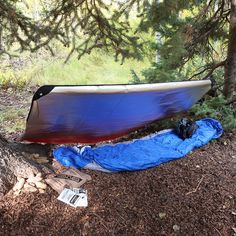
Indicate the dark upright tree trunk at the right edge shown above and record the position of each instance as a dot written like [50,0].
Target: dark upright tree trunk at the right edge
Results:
[230,65]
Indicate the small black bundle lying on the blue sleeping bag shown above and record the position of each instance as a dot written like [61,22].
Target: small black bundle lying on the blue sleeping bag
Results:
[185,128]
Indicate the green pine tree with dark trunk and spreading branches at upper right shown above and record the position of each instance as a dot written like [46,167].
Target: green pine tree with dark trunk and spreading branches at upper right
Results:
[193,33]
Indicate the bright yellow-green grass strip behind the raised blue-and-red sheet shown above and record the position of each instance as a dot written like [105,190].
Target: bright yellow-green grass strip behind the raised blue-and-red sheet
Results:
[95,68]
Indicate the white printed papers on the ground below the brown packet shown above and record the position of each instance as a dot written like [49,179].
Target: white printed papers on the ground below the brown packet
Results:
[75,197]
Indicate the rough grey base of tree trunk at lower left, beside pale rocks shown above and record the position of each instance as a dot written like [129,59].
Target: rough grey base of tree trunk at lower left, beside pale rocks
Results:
[13,163]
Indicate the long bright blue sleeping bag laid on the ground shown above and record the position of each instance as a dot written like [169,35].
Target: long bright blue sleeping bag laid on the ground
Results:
[139,154]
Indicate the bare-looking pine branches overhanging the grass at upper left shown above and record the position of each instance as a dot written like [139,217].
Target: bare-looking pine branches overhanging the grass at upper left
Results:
[80,24]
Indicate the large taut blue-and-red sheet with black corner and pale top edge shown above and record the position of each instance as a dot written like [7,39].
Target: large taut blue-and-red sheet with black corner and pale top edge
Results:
[90,114]
